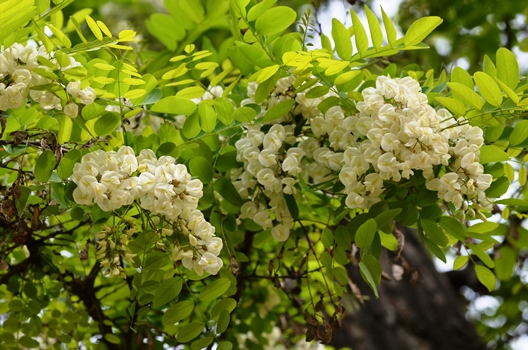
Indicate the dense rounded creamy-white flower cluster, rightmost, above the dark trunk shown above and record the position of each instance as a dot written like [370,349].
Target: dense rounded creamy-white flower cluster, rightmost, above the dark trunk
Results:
[403,134]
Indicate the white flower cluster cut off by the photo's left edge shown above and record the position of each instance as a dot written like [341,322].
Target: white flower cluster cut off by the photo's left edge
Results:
[17,77]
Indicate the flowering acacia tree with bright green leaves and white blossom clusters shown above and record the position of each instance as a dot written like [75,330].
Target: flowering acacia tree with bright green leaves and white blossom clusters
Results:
[213,195]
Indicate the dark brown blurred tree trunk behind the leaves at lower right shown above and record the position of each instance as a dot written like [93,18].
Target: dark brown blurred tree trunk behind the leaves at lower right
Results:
[422,311]
